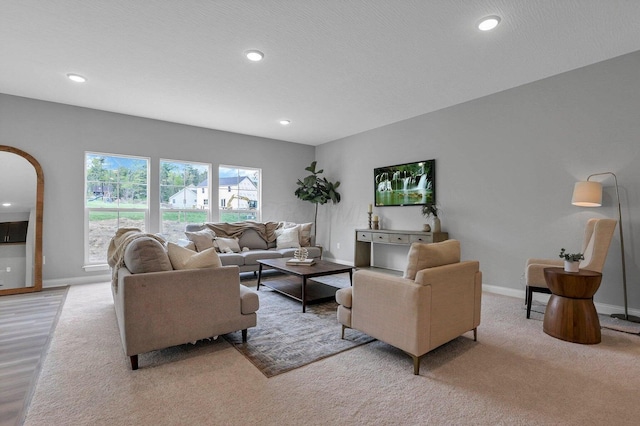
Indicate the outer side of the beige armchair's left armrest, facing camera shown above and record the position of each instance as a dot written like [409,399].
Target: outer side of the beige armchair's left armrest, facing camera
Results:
[391,309]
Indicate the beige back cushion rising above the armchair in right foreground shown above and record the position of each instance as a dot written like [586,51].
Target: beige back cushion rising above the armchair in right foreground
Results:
[422,256]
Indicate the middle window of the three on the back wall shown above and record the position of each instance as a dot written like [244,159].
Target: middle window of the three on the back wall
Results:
[184,196]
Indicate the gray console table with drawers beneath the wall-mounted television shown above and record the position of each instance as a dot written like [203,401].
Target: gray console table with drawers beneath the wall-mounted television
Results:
[364,238]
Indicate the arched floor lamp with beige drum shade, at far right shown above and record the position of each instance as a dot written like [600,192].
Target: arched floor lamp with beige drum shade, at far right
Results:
[589,194]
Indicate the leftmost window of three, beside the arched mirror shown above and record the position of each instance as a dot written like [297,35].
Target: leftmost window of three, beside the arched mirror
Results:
[116,196]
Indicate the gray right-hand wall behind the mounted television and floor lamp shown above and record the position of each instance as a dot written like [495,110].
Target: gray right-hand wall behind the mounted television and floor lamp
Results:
[506,165]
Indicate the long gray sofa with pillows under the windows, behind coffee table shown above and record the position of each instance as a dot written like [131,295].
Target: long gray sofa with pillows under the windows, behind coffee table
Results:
[253,243]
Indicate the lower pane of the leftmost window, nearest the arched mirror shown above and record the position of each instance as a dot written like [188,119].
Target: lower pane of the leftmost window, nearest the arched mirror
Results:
[103,226]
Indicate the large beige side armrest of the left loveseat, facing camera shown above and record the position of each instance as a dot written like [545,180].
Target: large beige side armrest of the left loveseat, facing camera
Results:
[161,309]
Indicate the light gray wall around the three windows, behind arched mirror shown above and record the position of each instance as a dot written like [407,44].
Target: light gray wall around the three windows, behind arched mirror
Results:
[58,135]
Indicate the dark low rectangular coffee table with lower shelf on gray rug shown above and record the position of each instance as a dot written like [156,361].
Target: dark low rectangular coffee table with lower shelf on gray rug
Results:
[303,292]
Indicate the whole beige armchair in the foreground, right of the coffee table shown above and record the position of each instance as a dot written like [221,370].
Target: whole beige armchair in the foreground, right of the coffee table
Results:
[437,300]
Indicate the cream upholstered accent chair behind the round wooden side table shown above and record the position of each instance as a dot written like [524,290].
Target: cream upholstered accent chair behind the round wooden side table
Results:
[597,238]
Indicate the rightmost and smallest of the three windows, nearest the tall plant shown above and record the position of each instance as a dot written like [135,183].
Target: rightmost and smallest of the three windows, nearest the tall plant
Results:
[239,192]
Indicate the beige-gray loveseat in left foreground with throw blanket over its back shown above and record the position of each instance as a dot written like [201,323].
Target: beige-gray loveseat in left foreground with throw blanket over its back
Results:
[158,306]
